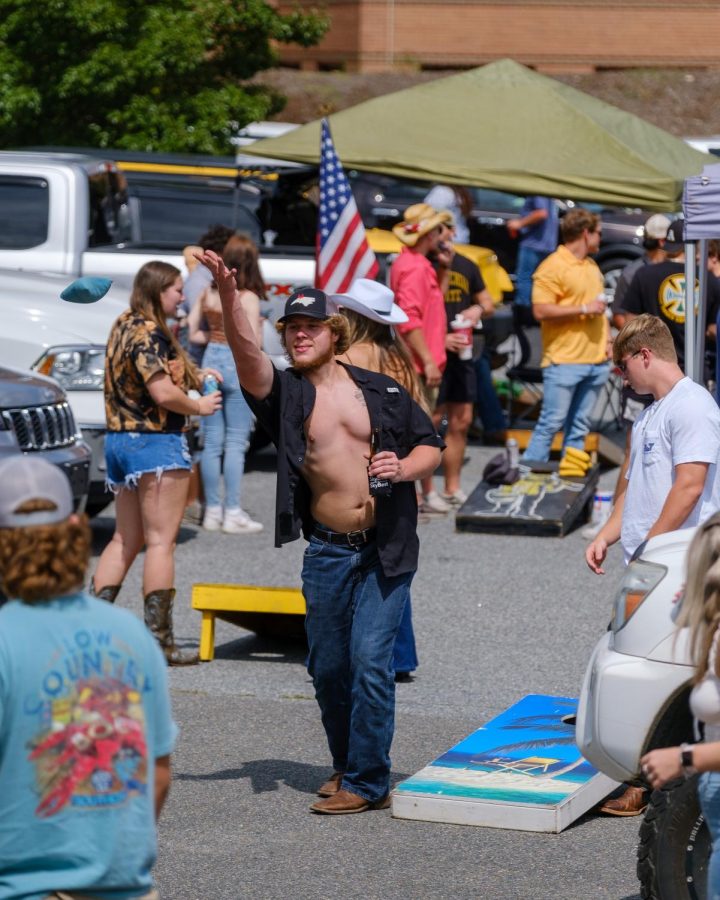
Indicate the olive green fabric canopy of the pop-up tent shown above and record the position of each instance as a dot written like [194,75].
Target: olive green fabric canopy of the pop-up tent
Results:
[506,127]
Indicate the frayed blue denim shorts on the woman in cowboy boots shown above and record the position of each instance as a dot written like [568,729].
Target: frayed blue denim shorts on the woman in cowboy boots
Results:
[130,454]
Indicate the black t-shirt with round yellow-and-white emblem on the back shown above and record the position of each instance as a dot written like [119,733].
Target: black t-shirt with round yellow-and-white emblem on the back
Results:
[659,289]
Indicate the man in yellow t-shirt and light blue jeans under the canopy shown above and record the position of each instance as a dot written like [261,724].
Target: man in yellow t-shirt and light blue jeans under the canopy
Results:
[567,301]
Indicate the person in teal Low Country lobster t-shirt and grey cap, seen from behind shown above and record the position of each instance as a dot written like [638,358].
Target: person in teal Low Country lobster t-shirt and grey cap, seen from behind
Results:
[86,730]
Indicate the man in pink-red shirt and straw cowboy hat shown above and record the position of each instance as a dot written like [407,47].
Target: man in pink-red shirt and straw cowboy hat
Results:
[417,292]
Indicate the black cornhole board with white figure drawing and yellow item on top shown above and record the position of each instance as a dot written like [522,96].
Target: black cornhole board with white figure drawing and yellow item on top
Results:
[539,503]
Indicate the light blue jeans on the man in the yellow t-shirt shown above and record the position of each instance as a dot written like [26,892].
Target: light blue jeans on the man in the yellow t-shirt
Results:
[569,395]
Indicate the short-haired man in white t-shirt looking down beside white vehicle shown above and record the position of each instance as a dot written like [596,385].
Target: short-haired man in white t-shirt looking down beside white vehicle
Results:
[674,450]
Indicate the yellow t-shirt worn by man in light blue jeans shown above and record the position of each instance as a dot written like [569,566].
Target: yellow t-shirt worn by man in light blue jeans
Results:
[565,280]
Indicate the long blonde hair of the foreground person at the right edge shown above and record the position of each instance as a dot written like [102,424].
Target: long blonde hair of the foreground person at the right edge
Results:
[700,609]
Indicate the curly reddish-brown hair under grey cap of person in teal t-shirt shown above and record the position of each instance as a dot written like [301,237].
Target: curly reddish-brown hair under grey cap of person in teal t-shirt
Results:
[41,562]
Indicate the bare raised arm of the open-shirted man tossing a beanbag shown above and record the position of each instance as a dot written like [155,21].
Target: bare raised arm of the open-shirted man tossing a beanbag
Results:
[254,368]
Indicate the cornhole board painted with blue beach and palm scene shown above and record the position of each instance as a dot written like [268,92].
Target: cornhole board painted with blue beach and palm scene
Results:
[520,771]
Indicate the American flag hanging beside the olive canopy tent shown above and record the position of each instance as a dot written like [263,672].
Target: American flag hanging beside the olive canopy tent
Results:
[343,253]
